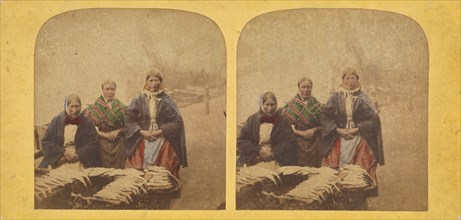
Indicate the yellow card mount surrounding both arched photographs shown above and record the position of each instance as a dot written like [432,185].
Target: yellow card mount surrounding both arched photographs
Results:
[22,20]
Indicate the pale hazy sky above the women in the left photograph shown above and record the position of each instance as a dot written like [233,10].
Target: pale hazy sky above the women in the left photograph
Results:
[77,50]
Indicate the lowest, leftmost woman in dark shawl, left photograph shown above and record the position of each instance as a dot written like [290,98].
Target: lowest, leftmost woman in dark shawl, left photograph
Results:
[71,138]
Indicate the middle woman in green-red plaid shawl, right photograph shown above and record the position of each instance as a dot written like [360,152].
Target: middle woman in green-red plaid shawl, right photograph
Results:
[303,111]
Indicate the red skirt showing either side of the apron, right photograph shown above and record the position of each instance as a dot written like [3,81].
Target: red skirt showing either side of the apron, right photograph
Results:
[363,157]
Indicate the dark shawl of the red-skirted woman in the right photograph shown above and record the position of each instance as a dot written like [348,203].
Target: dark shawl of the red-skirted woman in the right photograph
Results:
[364,116]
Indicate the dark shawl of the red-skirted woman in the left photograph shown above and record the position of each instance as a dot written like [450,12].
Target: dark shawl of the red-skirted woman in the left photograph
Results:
[168,119]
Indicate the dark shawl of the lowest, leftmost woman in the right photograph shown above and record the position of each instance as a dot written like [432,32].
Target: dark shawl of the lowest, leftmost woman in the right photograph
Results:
[282,141]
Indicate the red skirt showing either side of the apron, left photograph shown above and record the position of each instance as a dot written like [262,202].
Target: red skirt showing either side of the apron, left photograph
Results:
[167,158]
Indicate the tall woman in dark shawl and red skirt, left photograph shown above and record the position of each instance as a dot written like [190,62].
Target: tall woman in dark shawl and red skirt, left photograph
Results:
[154,129]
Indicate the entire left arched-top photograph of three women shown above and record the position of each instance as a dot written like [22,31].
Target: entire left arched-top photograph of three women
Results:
[120,100]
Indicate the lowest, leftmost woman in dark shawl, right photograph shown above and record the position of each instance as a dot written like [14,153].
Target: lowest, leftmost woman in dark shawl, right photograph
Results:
[267,137]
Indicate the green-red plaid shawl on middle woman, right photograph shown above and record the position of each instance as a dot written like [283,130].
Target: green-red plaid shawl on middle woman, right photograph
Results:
[308,113]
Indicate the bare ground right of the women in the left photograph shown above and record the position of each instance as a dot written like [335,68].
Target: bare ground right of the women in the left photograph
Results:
[204,180]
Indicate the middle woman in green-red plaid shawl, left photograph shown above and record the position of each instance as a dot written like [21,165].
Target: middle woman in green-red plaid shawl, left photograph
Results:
[107,114]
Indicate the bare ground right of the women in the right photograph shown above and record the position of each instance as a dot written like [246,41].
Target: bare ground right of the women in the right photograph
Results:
[403,180]
